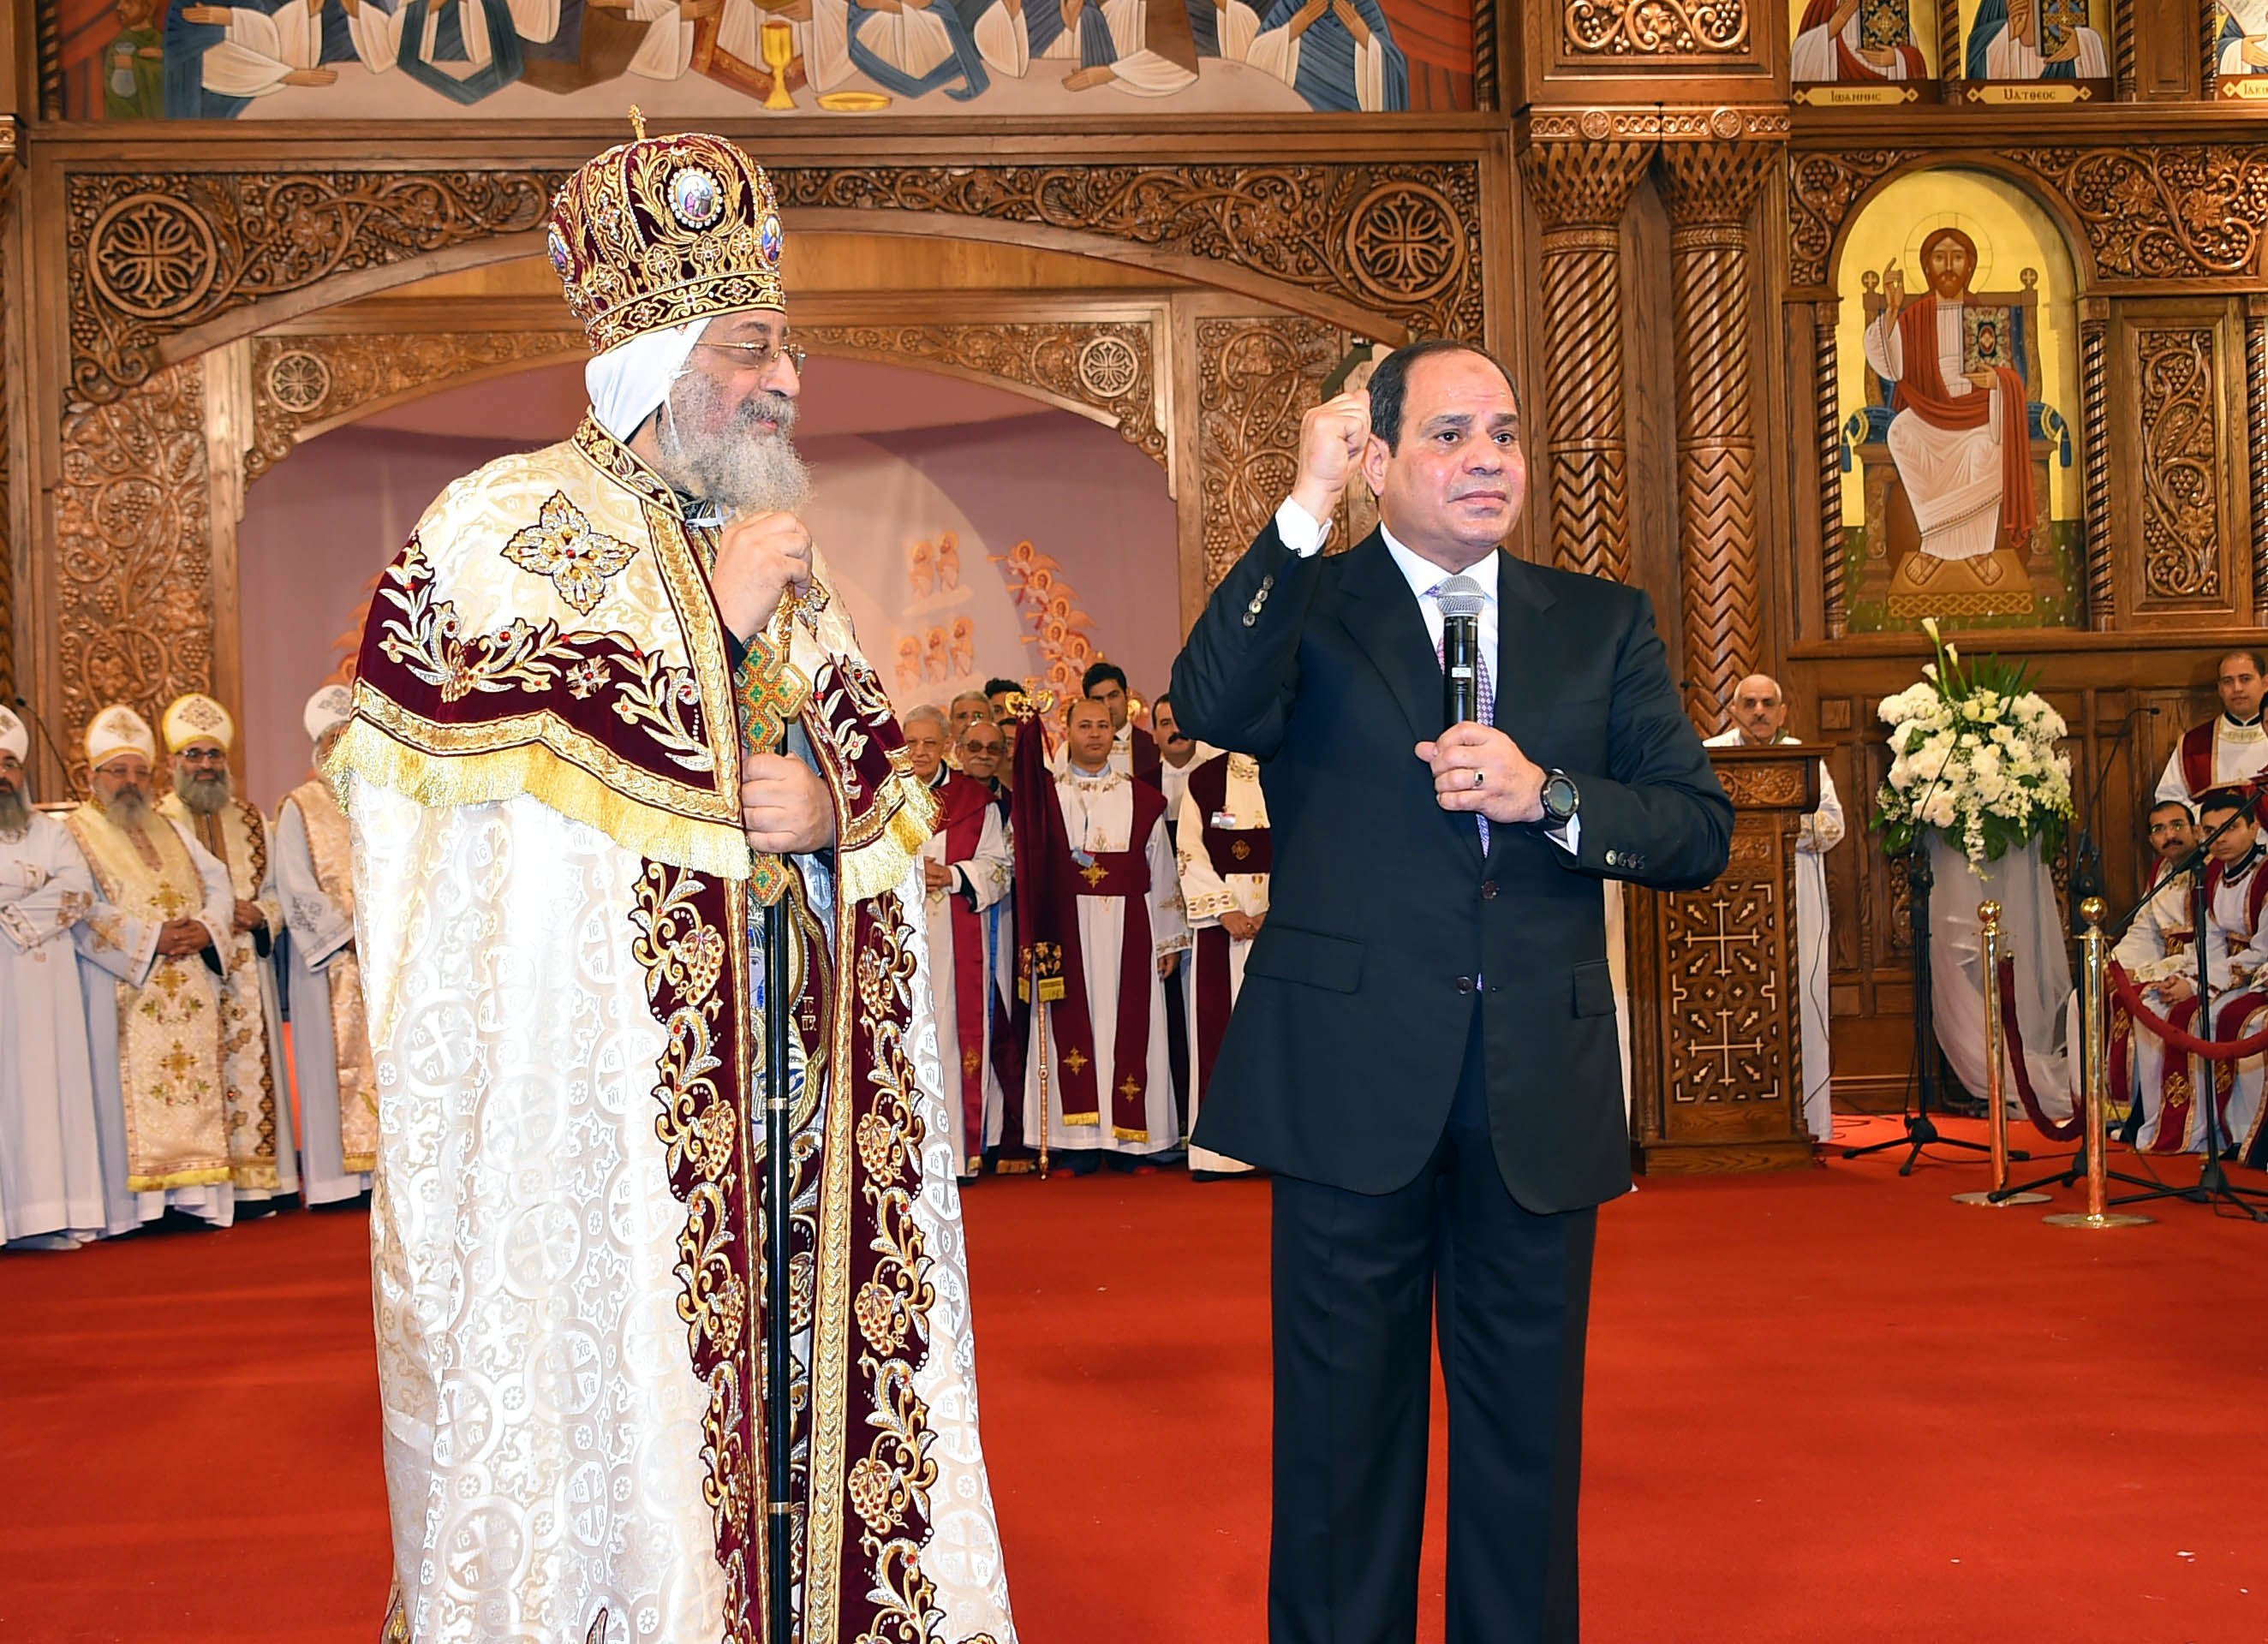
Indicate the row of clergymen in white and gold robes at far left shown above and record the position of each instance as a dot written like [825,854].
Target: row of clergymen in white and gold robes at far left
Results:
[151,951]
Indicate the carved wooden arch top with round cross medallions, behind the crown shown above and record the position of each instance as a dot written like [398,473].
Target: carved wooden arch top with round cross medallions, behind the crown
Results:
[153,255]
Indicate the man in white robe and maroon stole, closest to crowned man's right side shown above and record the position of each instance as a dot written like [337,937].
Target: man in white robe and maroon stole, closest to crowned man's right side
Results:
[967,867]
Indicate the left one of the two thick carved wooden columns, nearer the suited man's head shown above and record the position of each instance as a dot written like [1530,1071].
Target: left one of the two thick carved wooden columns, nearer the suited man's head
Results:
[1580,194]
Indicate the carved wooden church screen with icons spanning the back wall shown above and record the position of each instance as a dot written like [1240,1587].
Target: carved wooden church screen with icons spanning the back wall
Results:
[1704,235]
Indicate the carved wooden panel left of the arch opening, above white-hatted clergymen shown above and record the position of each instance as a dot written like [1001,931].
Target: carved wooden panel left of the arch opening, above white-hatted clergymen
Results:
[135,559]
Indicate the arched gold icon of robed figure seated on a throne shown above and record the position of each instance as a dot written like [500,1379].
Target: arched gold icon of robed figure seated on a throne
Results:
[1958,362]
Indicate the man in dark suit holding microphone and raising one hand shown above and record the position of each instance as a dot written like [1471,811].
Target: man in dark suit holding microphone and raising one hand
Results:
[1425,1044]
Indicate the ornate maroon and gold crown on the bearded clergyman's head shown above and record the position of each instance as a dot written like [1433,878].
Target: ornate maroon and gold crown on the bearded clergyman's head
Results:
[663,230]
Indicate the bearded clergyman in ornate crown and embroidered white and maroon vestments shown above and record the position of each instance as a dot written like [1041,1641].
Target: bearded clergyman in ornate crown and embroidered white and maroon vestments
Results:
[609,720]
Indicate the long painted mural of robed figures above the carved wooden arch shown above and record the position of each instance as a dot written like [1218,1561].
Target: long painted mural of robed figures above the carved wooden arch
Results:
[357,60]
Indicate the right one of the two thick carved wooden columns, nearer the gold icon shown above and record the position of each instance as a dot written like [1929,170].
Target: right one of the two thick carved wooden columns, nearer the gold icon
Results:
[1711,189]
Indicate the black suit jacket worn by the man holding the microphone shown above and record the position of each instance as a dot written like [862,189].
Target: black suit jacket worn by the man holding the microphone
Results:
[1387,929]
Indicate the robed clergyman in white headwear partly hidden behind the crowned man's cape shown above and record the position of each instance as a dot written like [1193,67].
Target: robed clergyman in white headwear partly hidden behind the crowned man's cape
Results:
[339,1094]
